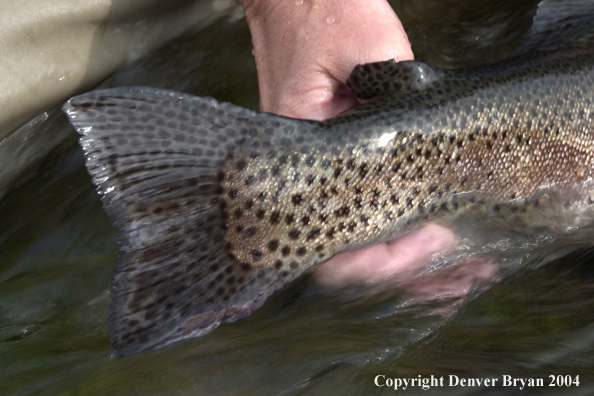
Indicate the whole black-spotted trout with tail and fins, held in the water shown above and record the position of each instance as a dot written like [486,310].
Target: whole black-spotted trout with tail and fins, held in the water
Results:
[220,206]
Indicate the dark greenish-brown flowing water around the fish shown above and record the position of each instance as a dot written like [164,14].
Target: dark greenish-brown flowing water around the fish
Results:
[57,252]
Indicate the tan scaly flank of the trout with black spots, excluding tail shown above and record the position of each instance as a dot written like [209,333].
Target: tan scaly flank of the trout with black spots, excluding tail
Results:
[296,209]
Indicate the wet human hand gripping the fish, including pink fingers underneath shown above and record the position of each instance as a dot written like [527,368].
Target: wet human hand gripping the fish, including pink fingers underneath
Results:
[305,51]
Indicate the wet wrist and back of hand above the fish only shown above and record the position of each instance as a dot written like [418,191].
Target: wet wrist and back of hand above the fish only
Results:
[306,49]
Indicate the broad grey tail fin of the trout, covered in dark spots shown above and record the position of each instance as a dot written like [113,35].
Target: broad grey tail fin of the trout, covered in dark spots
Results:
[155,157]
